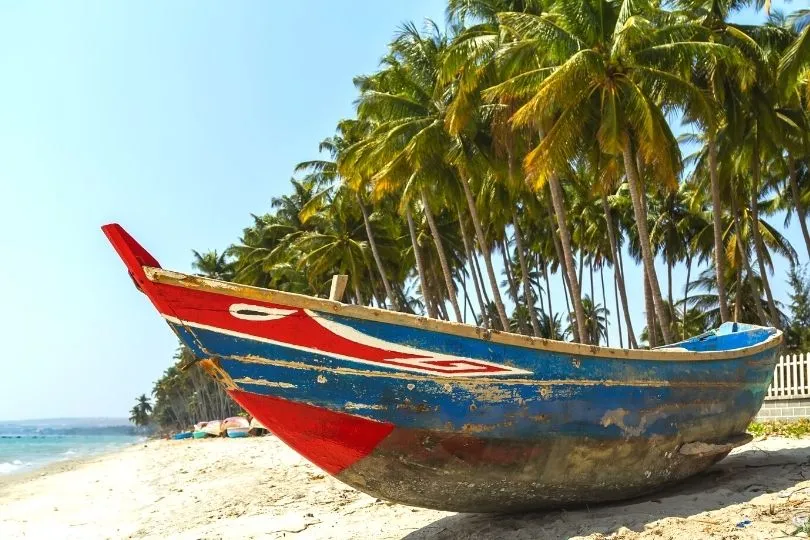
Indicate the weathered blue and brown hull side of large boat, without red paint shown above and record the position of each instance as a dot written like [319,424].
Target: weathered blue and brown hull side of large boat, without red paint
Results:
[578,430]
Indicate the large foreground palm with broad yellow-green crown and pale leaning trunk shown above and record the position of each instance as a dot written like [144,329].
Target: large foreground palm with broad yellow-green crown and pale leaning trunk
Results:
[631,68]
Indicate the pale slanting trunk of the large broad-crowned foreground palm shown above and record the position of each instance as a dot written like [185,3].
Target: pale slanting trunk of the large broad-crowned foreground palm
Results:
[644,238]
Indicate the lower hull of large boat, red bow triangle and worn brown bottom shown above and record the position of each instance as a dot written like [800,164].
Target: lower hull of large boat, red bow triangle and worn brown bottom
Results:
[469,472]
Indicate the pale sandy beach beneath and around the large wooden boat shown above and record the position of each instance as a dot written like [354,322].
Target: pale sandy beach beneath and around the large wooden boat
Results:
[259,488]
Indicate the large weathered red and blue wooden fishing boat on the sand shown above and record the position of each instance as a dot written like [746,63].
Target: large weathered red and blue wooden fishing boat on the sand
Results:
[450,416]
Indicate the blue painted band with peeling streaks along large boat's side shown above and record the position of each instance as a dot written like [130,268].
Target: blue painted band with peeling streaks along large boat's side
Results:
[579,397]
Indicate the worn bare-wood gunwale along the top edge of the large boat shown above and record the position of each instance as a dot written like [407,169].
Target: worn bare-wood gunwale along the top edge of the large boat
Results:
[237,290]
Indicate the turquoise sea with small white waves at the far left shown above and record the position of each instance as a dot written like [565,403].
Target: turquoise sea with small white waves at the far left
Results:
[29,444]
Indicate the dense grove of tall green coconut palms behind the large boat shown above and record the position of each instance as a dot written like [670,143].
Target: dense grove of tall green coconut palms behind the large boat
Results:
[527,146]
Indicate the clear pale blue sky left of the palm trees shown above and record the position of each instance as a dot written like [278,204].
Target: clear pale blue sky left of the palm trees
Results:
[176,120]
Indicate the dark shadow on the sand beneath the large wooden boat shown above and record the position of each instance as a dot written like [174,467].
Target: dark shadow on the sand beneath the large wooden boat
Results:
[737,479]
